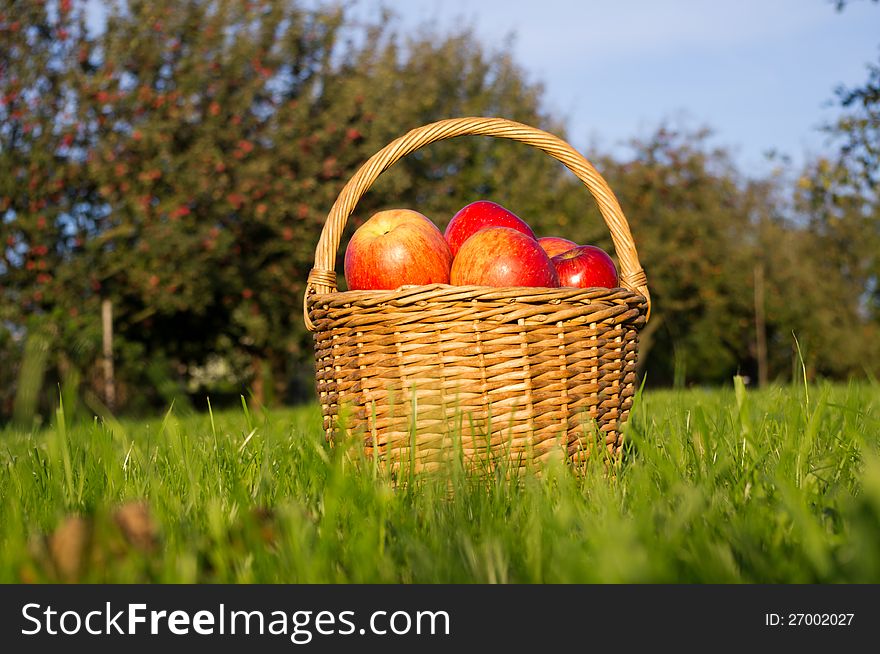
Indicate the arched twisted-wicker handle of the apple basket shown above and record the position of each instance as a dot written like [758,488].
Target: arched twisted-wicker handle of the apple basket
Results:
[322,278]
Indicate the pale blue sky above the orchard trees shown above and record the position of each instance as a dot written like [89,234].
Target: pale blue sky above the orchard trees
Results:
[761,73]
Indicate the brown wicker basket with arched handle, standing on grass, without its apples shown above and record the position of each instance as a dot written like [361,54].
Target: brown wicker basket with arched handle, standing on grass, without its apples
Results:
[423,373]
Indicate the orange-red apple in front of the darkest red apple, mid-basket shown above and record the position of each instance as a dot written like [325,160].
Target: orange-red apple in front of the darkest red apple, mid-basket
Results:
[501,256]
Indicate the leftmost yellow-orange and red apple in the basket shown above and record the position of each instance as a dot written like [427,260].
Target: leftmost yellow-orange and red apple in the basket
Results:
[394,248]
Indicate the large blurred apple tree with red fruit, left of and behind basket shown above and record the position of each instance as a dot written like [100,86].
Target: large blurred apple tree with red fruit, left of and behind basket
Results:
[180,161]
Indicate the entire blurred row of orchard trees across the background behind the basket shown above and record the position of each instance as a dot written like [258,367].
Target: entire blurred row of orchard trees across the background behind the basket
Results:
[181,161]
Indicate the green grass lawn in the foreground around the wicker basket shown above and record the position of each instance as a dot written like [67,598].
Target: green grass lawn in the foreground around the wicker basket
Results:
[723,486]
